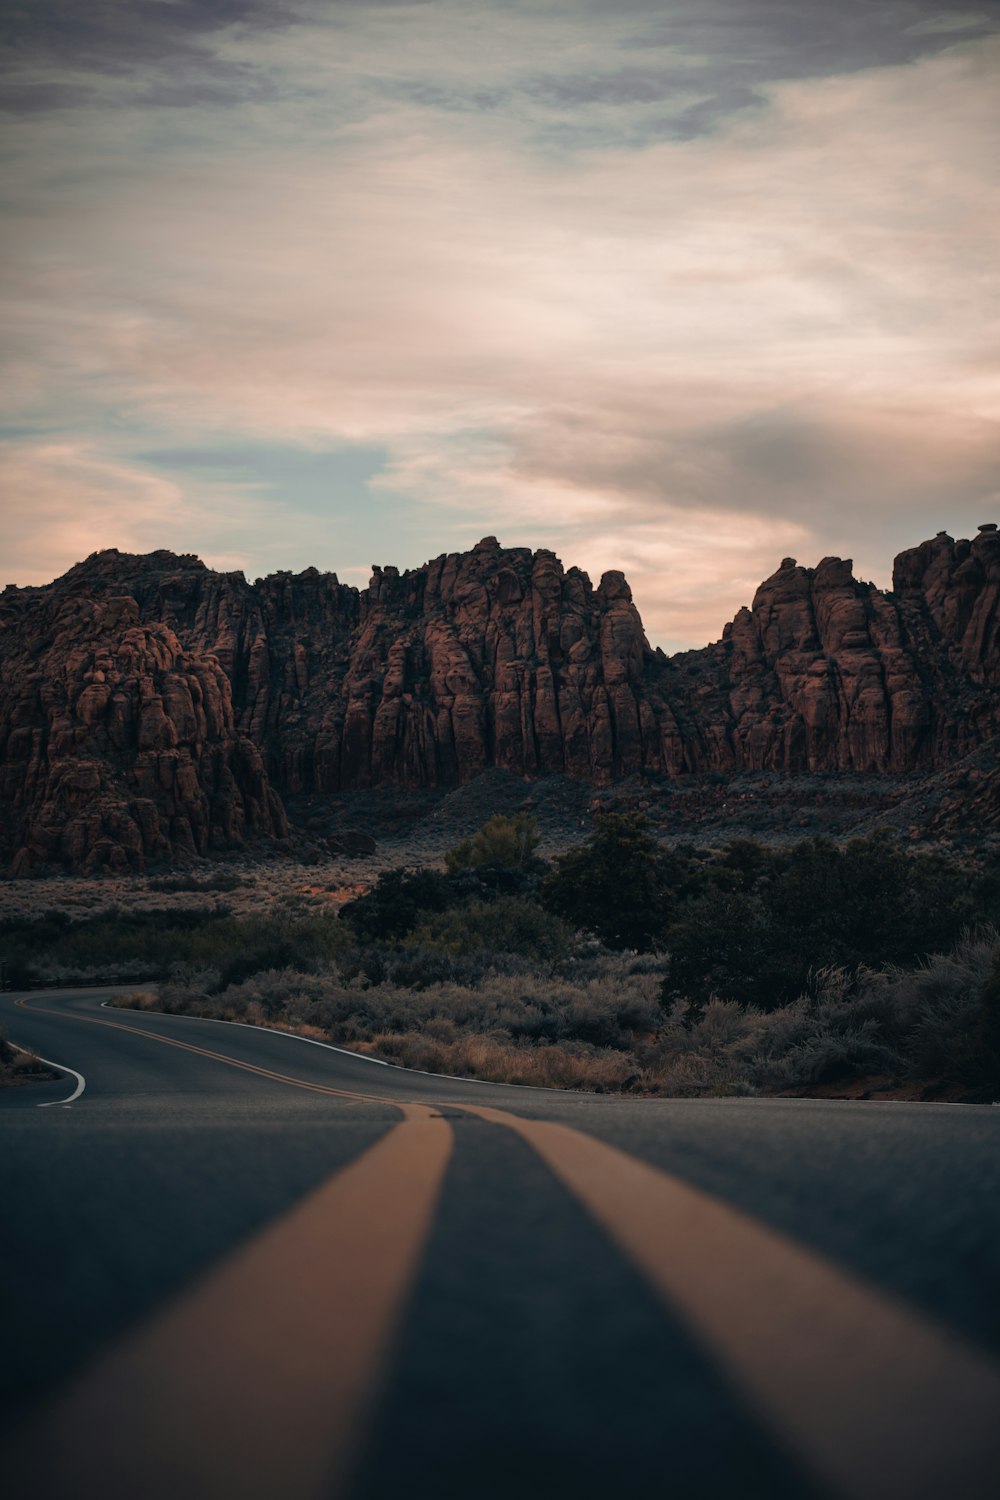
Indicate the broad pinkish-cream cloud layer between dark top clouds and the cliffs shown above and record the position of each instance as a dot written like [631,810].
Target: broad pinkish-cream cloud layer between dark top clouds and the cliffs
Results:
[689,355]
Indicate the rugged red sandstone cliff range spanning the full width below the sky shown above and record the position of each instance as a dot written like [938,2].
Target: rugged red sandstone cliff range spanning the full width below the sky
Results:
[152,709]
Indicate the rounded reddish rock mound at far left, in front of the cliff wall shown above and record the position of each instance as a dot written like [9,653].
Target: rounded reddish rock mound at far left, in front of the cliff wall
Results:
[119,746]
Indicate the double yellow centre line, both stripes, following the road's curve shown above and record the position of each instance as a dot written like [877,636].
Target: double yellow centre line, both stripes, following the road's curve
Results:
[263,1381]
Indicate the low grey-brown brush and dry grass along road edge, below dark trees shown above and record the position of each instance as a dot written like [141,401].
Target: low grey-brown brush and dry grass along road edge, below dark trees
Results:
[596,1024]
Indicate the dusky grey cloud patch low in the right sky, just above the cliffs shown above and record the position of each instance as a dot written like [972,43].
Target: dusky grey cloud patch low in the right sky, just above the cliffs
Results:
[849,475]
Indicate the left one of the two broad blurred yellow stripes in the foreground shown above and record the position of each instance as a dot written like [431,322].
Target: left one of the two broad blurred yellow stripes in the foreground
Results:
[263,1381]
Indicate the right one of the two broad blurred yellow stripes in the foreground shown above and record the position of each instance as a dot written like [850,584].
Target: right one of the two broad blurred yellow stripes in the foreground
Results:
[876,1400]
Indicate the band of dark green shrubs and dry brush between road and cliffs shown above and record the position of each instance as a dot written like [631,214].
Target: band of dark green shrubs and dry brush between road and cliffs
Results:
[621,965]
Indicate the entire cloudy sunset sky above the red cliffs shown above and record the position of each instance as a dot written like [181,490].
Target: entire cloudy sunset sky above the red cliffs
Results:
[669,286]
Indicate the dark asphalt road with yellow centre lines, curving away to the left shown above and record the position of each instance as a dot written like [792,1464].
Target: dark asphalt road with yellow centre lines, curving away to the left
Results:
[239,1264]
